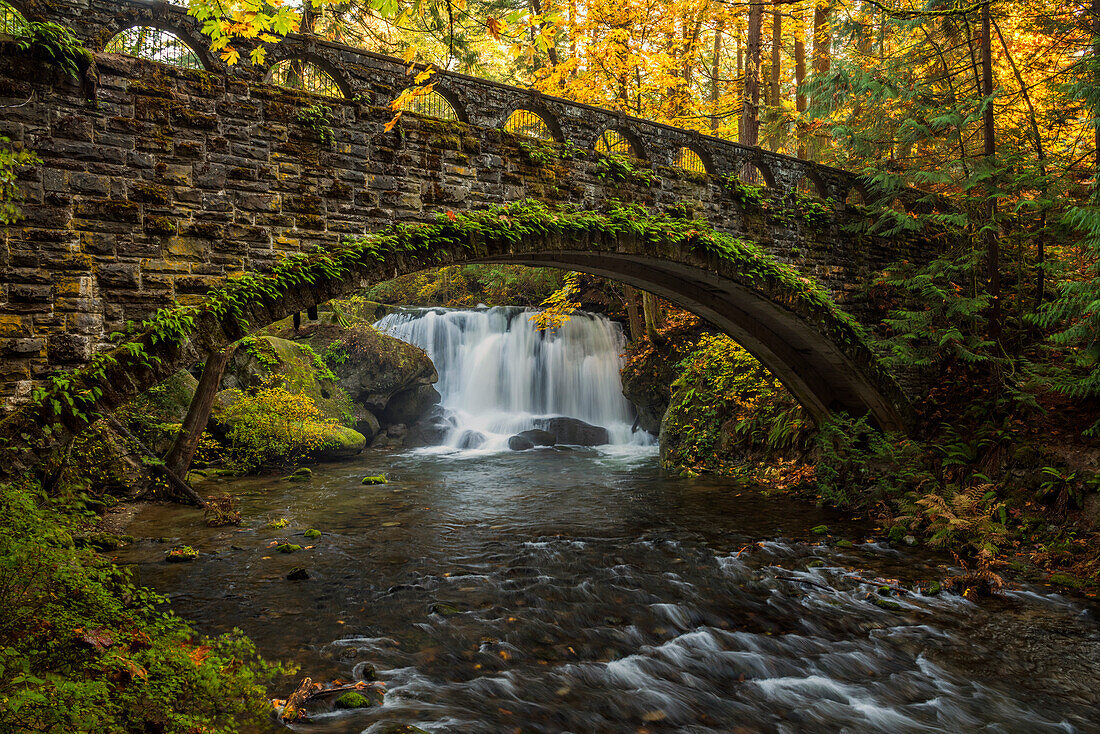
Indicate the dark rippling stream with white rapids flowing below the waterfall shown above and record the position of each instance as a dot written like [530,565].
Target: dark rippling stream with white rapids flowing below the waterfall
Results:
[584,591]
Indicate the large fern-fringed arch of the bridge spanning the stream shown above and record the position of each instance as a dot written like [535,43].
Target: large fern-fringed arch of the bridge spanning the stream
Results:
[820,354]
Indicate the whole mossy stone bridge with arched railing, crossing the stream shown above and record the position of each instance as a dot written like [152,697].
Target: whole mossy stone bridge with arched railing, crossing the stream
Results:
[159,182]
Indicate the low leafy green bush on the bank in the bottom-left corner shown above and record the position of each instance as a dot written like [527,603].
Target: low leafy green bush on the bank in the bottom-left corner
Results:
[83,649]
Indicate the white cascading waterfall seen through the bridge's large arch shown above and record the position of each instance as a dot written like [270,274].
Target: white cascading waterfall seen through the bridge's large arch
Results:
[499,375]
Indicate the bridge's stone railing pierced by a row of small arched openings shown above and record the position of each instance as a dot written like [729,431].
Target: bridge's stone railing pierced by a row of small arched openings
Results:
[360,76]
